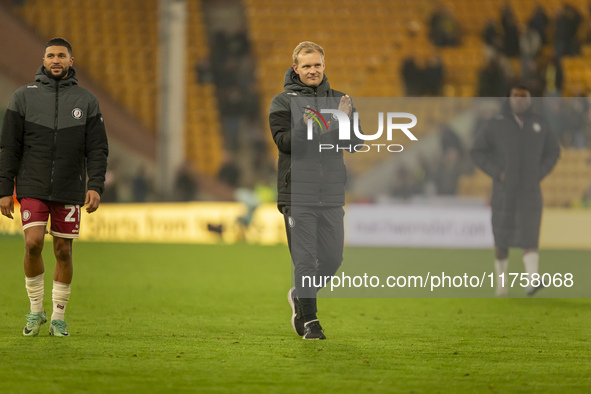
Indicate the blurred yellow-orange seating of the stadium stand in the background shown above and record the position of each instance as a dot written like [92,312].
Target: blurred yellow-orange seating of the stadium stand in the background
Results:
[367,40]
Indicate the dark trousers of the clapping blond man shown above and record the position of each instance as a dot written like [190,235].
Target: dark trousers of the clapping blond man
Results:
[316,239]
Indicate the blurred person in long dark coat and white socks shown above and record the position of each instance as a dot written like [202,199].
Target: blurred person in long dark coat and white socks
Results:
[517,149]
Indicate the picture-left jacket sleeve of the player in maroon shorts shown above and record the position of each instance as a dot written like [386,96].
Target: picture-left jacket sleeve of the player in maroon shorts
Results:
[11,145]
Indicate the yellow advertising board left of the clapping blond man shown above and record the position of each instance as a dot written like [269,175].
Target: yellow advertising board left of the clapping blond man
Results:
[174,222]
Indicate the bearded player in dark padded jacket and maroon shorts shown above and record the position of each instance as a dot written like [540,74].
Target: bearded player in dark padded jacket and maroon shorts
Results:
[53,137]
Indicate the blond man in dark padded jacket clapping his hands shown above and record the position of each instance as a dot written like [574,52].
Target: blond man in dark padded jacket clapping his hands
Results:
[311,183]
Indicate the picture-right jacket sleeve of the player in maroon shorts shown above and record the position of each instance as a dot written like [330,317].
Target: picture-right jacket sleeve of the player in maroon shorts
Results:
[97,148]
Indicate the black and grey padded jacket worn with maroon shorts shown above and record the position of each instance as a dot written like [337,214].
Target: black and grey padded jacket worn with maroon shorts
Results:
[53,136]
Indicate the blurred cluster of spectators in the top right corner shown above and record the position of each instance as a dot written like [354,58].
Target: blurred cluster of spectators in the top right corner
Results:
[538,45]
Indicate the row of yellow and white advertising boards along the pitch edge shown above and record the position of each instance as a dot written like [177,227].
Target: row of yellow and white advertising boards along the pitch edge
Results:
[365,225]
